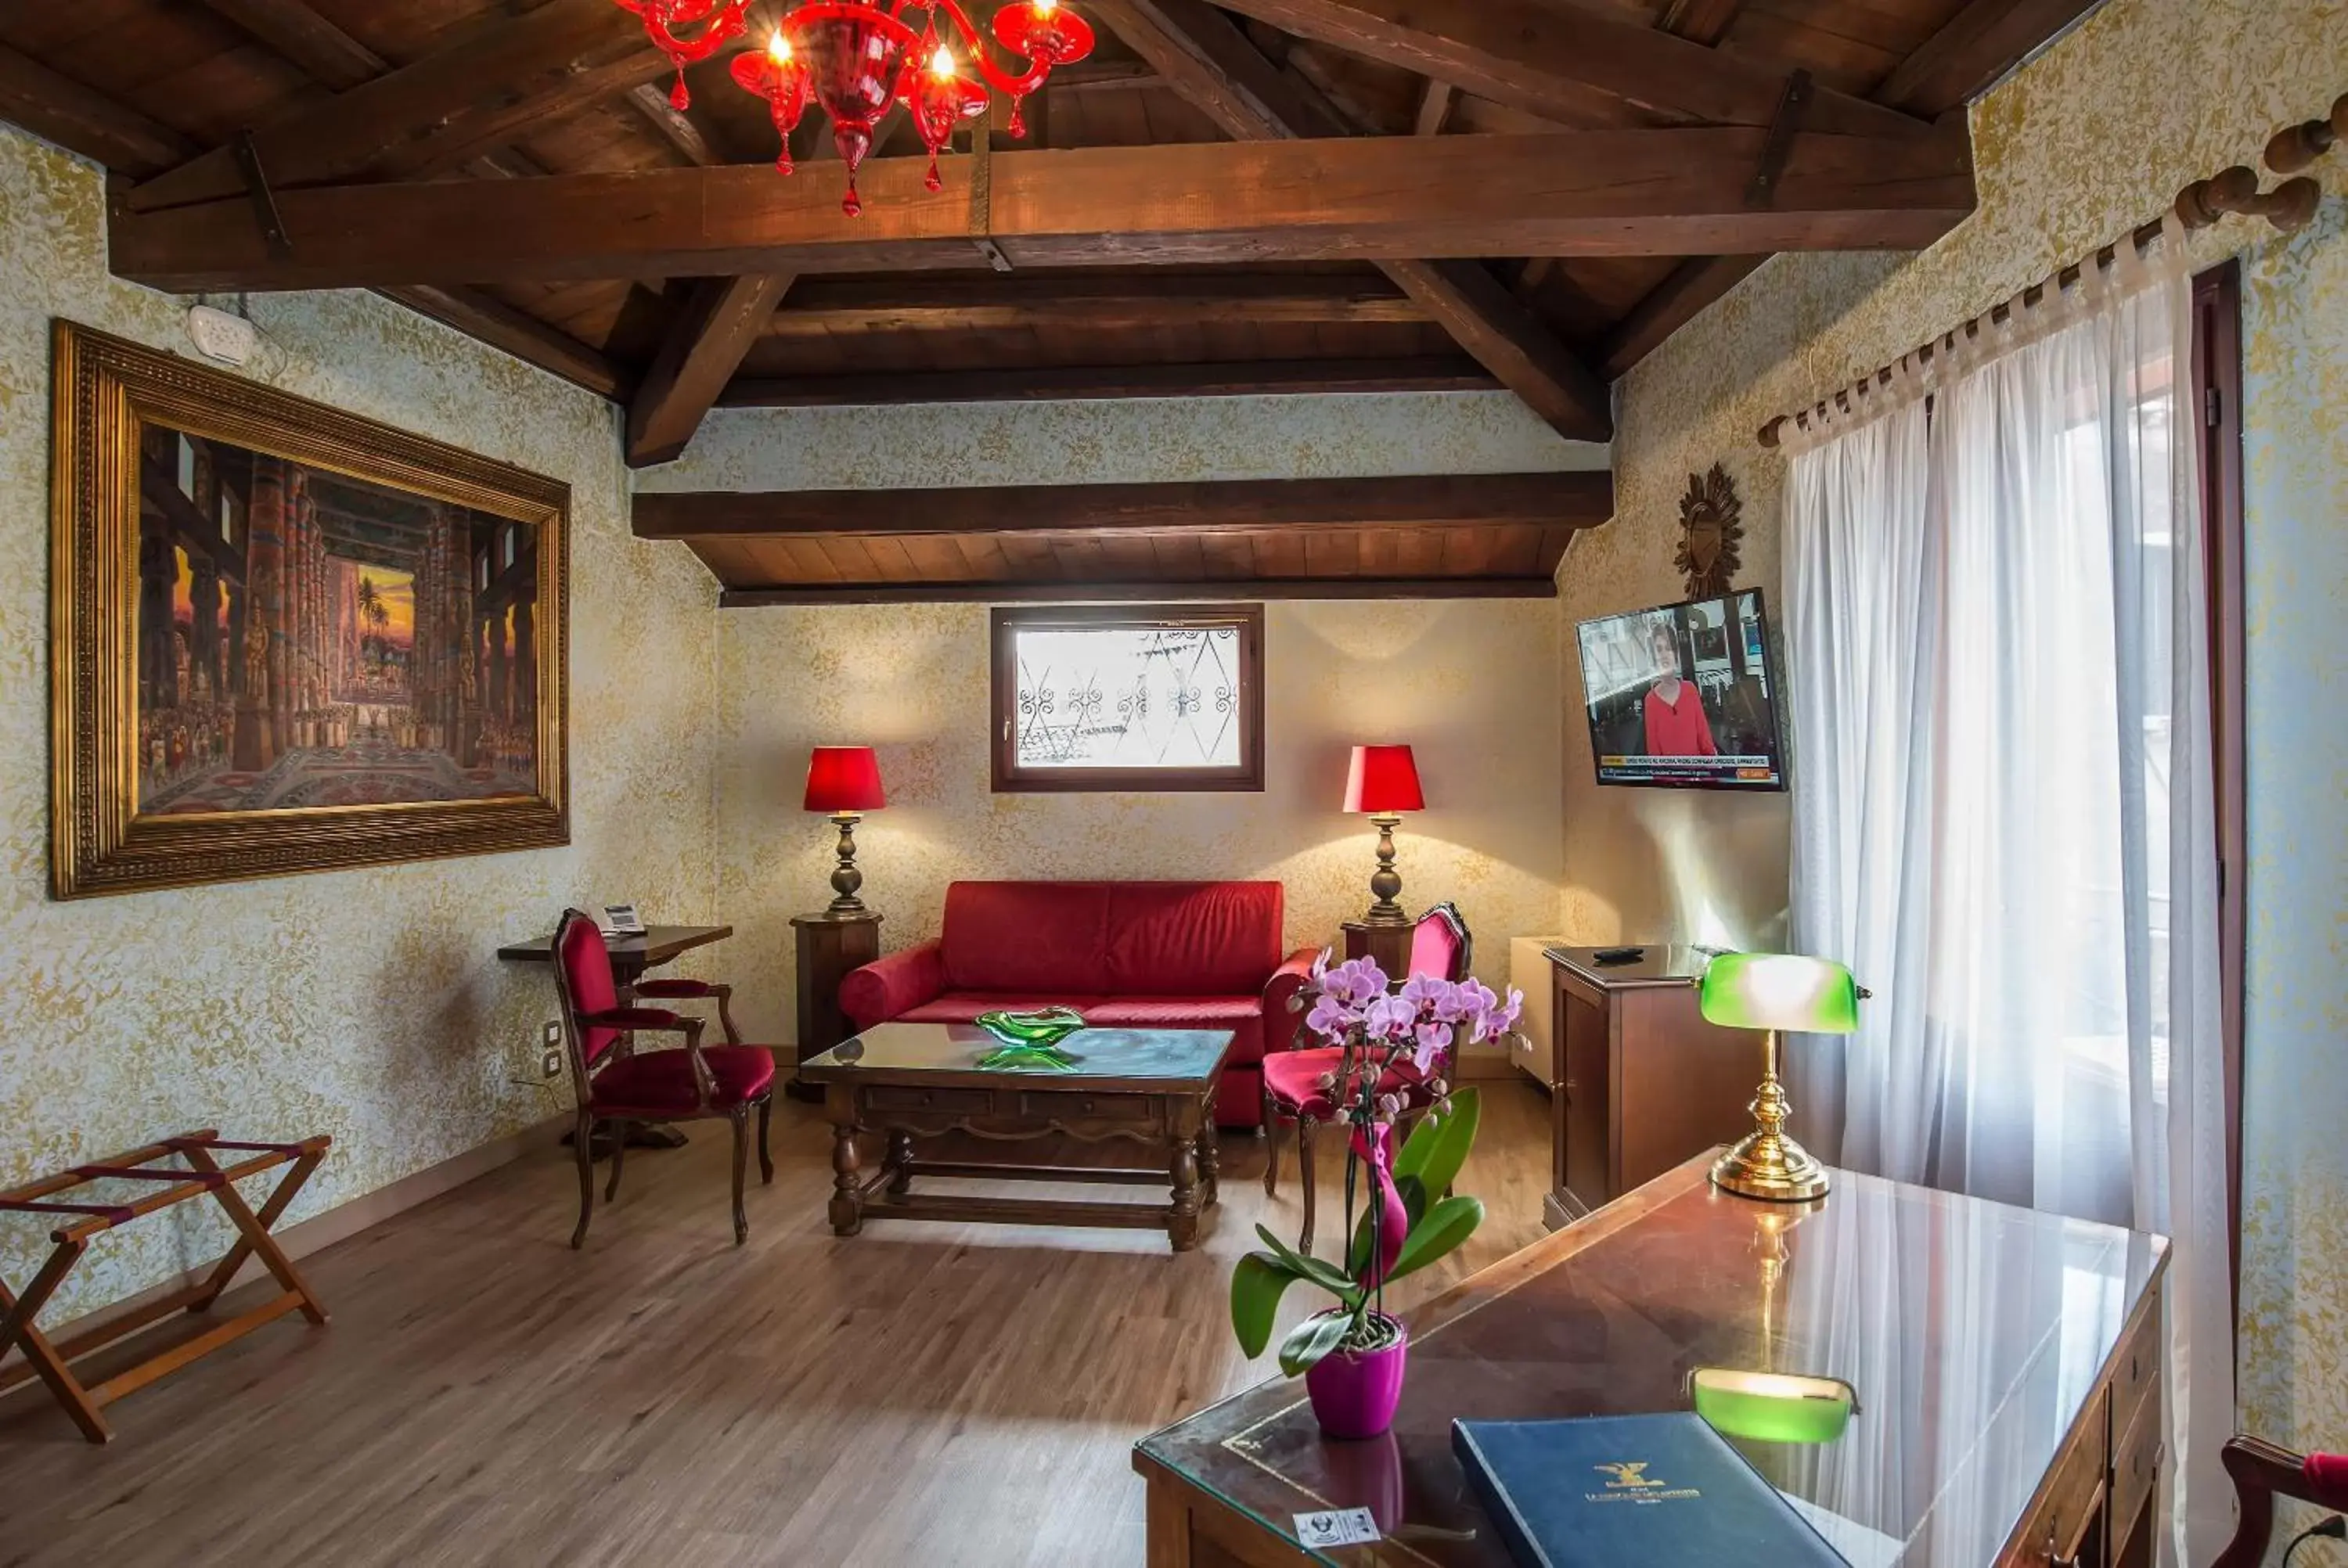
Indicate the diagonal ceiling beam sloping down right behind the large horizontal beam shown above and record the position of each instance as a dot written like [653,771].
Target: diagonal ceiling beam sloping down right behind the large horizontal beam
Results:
[1213,65]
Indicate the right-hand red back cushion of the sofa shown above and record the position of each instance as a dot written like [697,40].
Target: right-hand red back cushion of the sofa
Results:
[1192,938]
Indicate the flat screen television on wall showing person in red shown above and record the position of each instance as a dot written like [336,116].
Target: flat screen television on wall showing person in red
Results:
[1682,696]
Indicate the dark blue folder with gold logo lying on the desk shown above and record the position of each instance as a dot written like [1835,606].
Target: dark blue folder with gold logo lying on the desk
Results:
[1626,1492]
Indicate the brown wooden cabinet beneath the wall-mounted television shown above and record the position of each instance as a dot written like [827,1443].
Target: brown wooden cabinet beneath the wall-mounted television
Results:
[1638,1081]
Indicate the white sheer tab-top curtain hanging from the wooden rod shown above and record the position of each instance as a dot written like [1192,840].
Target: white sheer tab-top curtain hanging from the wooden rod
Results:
[2004,811]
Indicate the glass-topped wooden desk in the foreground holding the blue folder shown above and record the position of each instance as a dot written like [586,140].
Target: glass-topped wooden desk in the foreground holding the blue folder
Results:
[2006,1367]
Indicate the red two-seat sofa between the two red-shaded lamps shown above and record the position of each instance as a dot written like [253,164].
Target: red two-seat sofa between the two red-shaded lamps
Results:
[1124,954]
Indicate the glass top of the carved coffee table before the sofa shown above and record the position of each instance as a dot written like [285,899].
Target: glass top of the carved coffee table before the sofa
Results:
[1100,1057]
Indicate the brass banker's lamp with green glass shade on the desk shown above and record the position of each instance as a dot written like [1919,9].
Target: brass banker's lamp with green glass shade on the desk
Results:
[1774,992]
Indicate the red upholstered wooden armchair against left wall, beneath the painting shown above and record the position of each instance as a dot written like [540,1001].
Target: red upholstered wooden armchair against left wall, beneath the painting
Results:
[616,1083]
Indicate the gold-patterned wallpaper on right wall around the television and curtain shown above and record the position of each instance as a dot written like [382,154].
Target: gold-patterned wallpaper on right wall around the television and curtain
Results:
[2077,149]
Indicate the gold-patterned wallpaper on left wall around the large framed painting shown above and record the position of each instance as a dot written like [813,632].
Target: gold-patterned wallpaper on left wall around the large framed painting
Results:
[367,1006]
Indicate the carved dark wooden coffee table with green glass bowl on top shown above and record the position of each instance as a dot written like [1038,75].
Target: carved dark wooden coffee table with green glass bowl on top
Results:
[919,1081]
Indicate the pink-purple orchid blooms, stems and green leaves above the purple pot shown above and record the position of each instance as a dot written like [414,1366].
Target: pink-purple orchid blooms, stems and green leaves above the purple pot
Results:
[1396,1048]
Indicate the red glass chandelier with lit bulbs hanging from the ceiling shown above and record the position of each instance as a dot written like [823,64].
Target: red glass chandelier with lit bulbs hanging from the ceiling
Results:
[856,58]
